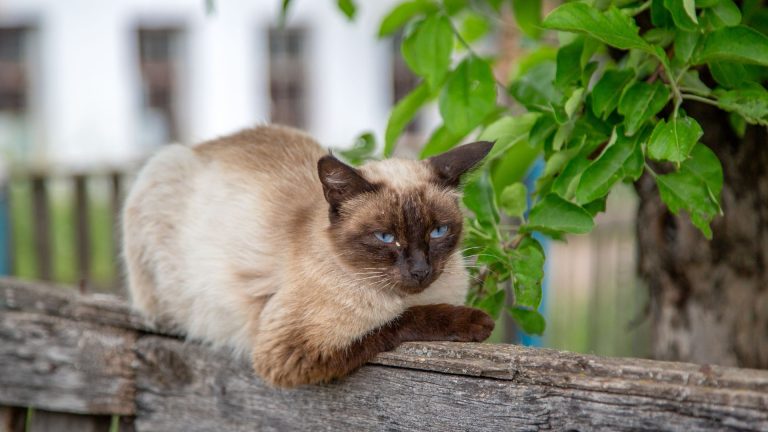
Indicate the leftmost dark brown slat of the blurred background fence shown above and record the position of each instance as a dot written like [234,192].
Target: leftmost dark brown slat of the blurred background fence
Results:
[41,223]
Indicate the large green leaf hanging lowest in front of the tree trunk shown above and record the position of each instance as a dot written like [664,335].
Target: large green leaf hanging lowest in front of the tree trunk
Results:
[694,188]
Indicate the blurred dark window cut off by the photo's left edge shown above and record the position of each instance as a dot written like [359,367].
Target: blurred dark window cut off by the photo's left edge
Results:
[14,79]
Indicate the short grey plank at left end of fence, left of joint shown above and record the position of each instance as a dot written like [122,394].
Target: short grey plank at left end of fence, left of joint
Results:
[64,365]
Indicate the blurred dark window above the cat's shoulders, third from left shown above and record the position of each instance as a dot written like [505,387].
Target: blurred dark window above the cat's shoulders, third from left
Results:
[287,84]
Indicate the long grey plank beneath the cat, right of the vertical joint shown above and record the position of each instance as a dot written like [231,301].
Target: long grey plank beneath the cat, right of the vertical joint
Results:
[184,387]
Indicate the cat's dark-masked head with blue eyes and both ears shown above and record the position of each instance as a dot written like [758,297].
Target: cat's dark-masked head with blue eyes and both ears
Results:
[396,223]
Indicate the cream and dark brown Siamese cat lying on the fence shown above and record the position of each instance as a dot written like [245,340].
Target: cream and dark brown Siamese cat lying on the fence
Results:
[264,243]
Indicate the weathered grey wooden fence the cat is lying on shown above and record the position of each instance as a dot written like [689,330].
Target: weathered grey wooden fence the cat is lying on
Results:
[82,359]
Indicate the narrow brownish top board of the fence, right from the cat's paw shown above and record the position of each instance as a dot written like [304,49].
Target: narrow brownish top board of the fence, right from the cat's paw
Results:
[680,382]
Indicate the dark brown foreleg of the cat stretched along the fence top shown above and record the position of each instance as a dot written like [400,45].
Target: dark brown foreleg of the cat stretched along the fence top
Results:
[297,357]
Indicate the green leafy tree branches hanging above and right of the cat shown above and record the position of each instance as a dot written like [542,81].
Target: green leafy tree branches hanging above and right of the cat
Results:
[601,107]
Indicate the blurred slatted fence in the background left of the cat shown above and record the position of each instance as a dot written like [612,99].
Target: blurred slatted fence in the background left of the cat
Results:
[36,201]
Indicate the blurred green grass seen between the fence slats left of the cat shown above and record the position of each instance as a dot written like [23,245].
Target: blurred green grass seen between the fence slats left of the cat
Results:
[62,231]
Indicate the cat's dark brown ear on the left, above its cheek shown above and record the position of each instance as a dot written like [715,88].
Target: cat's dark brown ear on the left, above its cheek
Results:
[340,181]
